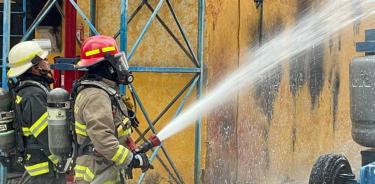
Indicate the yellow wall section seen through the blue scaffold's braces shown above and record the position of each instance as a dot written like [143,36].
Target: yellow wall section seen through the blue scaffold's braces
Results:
[156,90]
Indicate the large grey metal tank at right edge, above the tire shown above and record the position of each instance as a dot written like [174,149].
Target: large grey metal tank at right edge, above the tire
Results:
[362,100]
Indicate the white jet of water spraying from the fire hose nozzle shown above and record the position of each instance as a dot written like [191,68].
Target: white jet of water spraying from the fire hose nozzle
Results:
[309,31]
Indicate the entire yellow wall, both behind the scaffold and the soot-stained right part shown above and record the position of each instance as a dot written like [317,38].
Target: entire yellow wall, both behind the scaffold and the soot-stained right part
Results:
[272,133]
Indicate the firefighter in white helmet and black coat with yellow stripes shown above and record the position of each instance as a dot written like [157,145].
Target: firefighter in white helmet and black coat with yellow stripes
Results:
[29,64]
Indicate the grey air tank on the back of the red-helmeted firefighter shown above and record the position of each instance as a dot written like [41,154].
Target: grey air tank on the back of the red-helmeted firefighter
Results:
[59,137]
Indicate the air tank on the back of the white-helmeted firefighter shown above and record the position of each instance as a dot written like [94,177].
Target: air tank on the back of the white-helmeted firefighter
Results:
[7,134]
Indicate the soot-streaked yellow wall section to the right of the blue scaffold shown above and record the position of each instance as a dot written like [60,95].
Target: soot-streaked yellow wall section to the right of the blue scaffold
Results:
[278,129]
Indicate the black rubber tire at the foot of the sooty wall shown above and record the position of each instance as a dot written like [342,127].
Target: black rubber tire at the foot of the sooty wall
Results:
[327,169]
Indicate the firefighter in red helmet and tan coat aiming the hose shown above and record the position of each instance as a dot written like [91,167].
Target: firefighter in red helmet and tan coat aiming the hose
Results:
[102,123]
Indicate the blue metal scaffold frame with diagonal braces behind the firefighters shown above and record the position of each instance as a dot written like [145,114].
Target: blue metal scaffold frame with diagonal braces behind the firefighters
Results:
[196,58]
